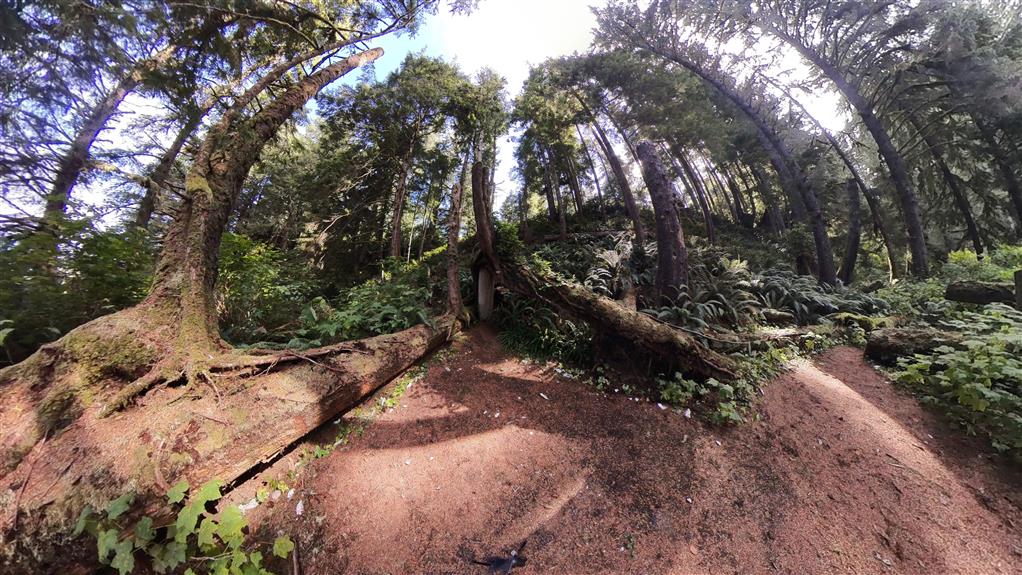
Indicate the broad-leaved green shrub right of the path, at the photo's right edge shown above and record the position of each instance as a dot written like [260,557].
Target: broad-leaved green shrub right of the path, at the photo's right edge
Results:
[981,385]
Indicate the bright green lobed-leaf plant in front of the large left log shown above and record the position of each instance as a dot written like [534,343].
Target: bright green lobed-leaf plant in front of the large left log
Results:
[196,541]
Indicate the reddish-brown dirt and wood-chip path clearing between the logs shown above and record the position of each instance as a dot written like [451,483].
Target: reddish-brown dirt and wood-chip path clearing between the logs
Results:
[843,473]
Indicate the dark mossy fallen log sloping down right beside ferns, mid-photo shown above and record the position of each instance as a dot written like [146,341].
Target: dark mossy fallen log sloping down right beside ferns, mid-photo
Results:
[666,345]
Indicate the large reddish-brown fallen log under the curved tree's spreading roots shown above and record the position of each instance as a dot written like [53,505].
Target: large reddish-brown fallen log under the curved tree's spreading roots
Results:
[250,410]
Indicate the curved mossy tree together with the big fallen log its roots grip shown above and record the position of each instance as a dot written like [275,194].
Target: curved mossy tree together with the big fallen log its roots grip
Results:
[70,387]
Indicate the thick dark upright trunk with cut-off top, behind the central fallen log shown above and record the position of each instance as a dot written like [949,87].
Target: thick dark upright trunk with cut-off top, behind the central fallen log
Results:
[672,257]
